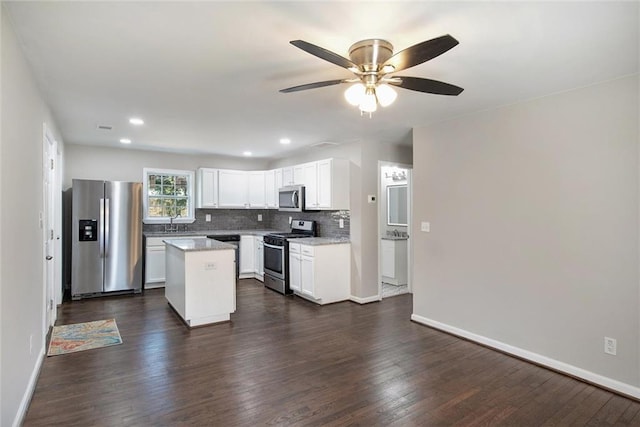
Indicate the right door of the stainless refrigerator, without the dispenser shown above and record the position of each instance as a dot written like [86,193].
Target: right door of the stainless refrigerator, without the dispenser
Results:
[123,236]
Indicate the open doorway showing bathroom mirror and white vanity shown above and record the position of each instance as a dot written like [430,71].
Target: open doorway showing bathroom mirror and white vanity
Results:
[394,217]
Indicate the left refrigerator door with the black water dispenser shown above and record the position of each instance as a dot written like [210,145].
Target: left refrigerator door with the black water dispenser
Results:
[86,259]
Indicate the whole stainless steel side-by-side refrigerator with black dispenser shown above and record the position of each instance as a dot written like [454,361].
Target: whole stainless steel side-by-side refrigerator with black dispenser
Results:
[107,237]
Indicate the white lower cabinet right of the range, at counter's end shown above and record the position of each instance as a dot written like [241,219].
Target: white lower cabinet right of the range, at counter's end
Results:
[322,273]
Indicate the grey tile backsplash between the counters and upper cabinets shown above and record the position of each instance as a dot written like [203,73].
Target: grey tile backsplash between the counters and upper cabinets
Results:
[328,222]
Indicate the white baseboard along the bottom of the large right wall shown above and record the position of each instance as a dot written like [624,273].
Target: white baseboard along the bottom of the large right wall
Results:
[539,359]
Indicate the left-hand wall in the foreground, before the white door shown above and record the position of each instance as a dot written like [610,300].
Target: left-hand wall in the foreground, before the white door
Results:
[21,246]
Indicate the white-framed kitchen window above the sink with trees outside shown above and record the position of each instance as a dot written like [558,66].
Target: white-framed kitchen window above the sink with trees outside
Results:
[168,194]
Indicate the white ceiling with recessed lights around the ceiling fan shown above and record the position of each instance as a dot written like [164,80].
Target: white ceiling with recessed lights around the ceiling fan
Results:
[205,75]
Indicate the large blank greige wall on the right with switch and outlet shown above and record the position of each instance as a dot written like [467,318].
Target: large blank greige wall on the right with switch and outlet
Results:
[534,228]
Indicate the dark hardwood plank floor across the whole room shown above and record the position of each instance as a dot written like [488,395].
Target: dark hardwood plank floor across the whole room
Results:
[285,361]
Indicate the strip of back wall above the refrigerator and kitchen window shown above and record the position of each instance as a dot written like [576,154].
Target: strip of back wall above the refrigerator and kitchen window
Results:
[126,164]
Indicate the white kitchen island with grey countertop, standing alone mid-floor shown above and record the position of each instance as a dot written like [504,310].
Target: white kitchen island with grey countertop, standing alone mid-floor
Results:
[200,280]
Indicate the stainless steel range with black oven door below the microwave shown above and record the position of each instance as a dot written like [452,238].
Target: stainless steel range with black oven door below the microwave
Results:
[276,254]
